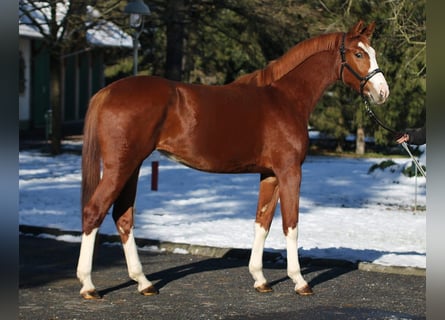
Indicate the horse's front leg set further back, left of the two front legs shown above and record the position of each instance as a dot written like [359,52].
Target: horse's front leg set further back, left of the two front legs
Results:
[267,202]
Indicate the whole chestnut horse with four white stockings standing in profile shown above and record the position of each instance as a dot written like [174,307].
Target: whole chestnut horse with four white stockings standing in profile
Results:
[256,124]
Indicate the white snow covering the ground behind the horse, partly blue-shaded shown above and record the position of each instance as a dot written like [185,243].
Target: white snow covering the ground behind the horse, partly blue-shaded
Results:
[345,212]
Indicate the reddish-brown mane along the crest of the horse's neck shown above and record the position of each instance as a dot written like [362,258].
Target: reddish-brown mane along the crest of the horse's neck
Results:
[291,59]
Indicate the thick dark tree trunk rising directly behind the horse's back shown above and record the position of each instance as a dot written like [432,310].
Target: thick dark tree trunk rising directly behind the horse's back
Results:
[175,38]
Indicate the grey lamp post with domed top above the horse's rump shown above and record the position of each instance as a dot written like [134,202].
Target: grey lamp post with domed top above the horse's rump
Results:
[136,9]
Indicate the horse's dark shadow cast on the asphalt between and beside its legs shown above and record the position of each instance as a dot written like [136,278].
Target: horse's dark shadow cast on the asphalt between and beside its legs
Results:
[162,278]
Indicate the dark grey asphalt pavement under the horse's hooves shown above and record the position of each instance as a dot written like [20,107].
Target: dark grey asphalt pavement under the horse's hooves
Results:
[201,287]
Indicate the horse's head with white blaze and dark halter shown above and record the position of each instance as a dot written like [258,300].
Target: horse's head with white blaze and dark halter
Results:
[359,68]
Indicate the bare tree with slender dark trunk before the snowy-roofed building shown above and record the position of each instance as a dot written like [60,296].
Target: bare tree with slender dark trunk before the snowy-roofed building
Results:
[63,26]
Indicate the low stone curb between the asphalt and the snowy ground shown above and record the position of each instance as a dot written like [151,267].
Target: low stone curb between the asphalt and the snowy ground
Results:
[241,254]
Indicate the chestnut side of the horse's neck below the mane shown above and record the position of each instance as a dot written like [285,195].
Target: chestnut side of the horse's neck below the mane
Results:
[307,82]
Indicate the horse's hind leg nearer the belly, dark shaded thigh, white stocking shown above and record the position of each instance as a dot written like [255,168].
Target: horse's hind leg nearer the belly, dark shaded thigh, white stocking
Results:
[123,215]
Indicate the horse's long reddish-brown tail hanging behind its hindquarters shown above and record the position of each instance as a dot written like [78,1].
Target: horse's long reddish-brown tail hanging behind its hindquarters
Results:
[90,151]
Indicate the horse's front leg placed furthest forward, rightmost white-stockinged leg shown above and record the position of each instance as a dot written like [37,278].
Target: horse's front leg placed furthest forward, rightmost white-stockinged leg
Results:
[289,196]
